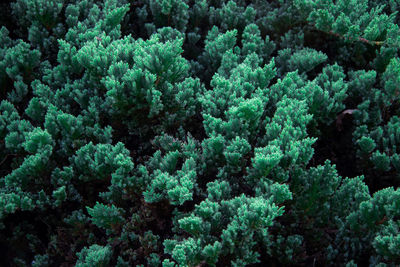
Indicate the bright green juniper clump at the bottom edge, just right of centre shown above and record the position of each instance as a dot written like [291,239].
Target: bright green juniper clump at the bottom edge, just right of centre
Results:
[230,235]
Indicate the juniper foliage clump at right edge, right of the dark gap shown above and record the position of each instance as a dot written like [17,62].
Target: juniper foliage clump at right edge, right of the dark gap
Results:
[377,133]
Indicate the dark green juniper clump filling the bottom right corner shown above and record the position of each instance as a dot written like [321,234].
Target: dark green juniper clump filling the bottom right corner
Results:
[366,229]
